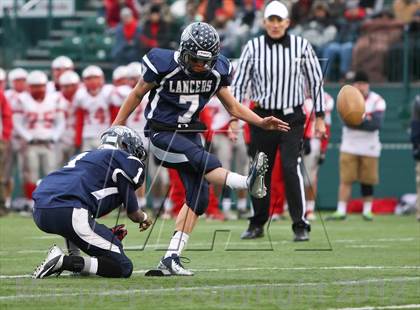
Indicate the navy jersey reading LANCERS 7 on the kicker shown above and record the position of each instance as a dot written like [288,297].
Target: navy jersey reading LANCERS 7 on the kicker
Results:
[177,97]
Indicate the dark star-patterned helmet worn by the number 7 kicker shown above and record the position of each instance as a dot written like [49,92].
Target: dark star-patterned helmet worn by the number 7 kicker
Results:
[200,43]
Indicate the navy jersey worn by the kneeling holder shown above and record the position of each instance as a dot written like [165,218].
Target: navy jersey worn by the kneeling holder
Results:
[99,180]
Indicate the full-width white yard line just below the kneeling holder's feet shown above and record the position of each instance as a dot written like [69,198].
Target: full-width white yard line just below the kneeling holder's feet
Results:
[201,288]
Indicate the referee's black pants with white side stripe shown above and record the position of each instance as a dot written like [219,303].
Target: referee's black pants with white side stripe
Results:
[290,142]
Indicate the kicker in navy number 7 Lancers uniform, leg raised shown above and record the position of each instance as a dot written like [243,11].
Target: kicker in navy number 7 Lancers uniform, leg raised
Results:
[180,84]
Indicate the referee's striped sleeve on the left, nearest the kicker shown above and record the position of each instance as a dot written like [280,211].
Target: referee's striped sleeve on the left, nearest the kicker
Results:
[243,73]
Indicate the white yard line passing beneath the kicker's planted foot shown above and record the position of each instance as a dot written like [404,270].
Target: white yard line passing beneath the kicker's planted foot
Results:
[357,268]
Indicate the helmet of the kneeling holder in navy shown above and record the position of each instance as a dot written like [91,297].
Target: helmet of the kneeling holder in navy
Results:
[126,139]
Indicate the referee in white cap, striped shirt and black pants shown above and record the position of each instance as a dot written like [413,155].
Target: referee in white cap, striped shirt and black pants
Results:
[277,70]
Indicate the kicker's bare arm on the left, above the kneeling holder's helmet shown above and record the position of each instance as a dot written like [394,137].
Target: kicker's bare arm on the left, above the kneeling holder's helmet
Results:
[132,101]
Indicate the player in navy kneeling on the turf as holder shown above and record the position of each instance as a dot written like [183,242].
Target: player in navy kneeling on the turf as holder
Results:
[91,185]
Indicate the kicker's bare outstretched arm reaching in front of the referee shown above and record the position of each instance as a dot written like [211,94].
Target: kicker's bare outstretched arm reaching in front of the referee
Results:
[244,113]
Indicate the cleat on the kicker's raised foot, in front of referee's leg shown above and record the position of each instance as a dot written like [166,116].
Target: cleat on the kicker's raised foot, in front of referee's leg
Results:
[255,180]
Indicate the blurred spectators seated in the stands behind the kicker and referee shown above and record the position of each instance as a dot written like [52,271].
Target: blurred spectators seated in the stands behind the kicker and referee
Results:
[347,35]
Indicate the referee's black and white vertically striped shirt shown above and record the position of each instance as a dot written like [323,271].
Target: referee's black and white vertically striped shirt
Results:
[277,75]
